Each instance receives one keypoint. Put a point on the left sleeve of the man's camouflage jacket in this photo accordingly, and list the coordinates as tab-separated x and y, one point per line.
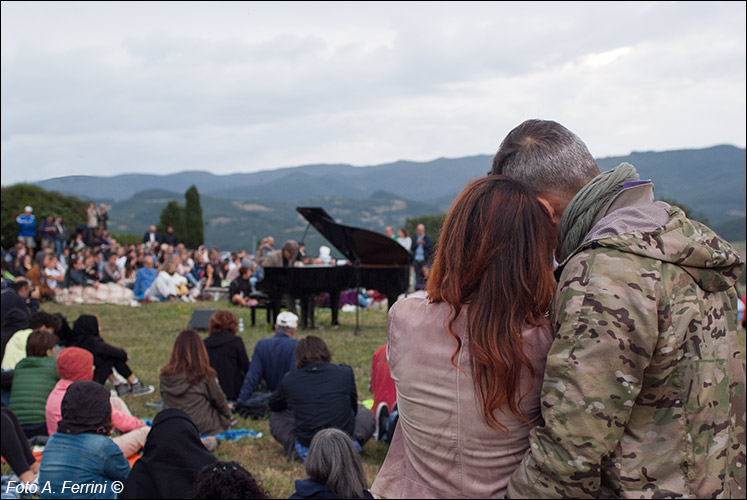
605	336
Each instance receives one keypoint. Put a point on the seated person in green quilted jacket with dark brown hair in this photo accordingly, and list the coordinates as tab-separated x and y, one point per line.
33	379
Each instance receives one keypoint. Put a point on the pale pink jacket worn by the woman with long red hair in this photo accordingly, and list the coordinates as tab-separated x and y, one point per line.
442	447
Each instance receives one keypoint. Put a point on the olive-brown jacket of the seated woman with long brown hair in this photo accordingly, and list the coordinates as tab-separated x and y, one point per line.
204	402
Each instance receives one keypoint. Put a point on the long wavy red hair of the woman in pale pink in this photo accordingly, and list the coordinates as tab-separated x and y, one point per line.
495	253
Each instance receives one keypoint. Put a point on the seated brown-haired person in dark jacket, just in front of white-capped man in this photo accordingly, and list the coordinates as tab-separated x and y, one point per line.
320	395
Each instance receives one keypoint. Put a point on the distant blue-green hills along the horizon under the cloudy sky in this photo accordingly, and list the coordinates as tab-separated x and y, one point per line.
240	208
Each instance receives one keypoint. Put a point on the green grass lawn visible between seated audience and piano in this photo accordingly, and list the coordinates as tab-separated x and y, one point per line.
148	333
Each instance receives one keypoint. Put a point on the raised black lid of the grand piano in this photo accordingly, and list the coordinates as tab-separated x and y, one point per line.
357	245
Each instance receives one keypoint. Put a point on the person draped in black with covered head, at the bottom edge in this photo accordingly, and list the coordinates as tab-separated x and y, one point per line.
166	470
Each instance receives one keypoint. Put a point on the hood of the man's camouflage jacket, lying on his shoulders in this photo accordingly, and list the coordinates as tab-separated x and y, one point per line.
710	260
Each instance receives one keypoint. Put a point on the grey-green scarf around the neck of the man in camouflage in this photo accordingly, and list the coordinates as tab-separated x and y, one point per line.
579	215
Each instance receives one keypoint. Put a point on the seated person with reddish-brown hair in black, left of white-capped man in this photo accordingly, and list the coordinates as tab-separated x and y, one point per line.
227	352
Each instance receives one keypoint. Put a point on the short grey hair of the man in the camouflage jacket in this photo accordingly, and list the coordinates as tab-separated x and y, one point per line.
547	157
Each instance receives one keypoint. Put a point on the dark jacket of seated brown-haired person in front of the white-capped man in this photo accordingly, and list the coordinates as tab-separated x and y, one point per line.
321	396
